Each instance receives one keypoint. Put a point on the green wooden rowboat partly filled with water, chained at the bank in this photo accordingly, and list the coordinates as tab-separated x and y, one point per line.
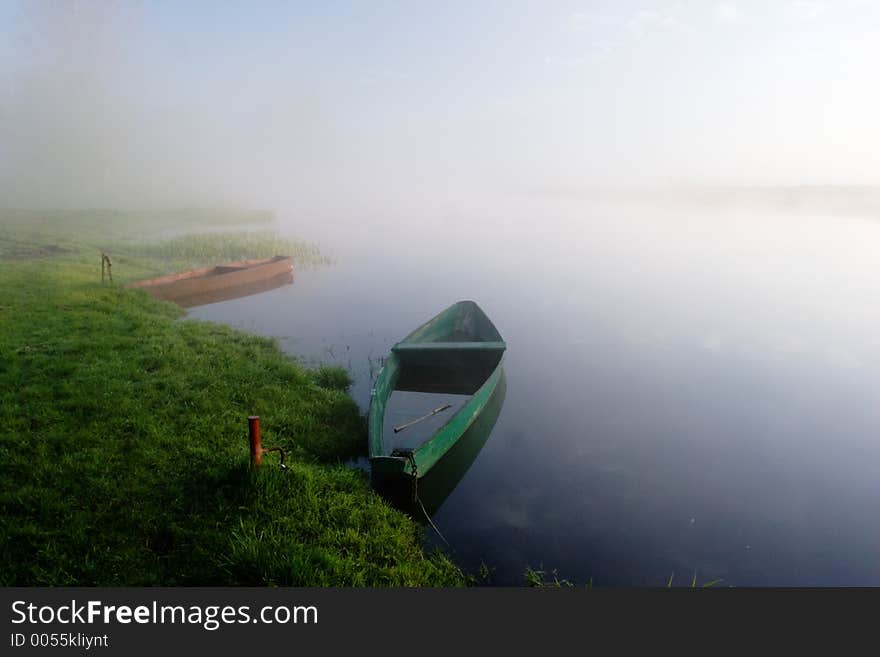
458	352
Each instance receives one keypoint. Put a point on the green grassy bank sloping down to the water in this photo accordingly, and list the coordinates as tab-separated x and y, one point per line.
124	443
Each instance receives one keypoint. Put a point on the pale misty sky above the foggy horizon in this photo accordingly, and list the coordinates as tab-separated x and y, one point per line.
269	103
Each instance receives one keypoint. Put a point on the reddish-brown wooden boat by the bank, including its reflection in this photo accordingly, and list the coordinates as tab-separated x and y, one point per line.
228	281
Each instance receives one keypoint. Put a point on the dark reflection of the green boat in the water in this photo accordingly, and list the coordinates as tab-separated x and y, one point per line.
441	480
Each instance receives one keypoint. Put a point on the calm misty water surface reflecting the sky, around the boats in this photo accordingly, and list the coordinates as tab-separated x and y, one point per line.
686	391
